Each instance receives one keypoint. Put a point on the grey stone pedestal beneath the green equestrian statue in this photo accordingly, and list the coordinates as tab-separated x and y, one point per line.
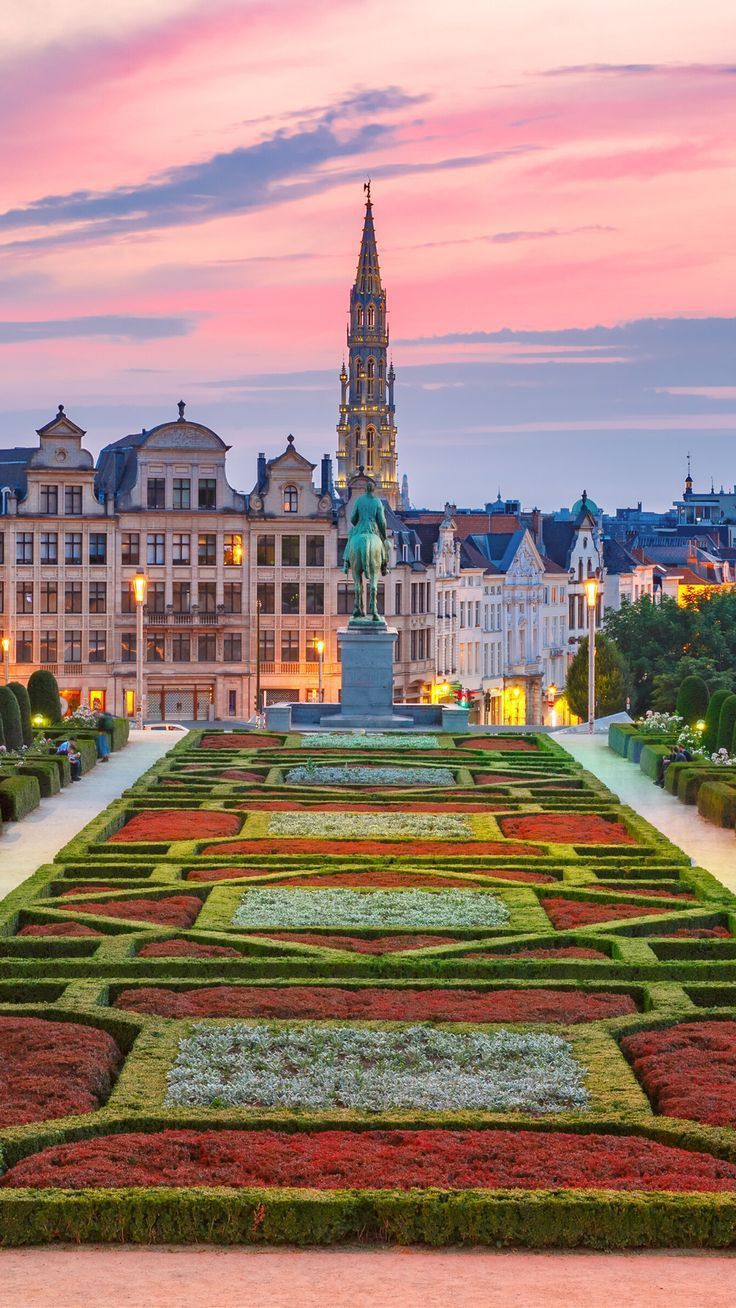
367	655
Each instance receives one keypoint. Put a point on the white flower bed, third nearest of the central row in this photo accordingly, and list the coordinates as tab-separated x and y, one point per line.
371	826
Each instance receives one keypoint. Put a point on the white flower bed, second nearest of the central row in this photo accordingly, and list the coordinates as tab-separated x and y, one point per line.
410	908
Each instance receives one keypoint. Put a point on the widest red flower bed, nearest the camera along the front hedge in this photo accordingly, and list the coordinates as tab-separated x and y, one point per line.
344	1160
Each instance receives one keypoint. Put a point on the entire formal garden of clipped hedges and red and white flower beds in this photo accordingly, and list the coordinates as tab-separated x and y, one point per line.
359	987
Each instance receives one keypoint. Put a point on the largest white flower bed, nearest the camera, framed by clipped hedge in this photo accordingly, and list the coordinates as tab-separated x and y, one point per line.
376	1071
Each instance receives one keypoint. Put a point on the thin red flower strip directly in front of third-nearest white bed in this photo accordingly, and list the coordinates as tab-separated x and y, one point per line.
386	848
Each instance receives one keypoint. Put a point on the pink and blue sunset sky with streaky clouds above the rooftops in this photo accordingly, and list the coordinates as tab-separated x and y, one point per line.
555	199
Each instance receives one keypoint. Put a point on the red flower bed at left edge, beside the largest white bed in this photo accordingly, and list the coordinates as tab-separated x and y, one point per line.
53	1069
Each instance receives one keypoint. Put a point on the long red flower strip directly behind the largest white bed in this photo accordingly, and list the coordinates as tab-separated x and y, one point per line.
377	1005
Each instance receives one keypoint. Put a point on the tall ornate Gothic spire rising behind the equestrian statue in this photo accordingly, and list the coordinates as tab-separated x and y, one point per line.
367	432
